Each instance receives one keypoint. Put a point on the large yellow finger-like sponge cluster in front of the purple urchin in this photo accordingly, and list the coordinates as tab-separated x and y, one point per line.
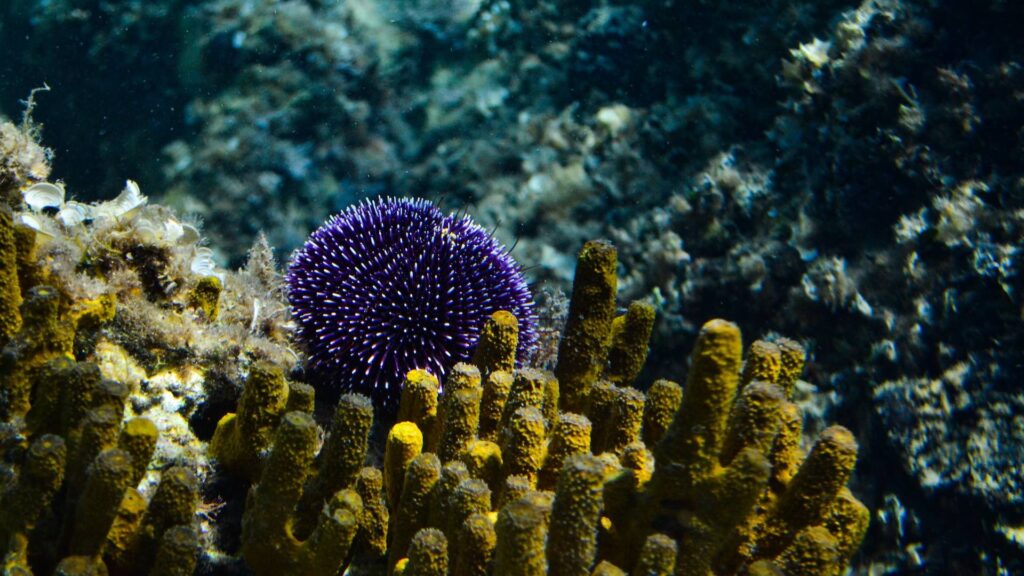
563	482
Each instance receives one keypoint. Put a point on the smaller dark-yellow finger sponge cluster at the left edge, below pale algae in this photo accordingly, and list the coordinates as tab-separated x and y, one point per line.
75	499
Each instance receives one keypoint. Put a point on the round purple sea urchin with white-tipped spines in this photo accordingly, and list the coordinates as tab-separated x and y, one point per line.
392	285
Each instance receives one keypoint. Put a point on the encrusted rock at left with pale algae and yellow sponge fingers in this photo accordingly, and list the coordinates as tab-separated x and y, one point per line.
115	333
